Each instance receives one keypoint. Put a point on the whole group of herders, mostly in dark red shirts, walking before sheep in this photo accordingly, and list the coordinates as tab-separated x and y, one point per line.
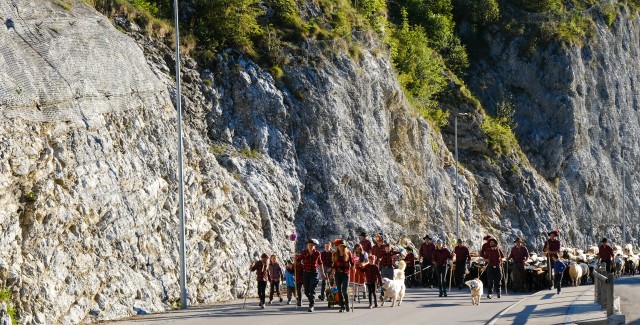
369	263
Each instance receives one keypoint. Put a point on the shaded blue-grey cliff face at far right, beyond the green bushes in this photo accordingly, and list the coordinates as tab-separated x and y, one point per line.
577	115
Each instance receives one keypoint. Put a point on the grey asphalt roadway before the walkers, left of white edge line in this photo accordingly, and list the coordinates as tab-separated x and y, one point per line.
420	306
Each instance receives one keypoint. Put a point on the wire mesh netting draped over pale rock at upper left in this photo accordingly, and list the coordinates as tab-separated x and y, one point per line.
68	64
